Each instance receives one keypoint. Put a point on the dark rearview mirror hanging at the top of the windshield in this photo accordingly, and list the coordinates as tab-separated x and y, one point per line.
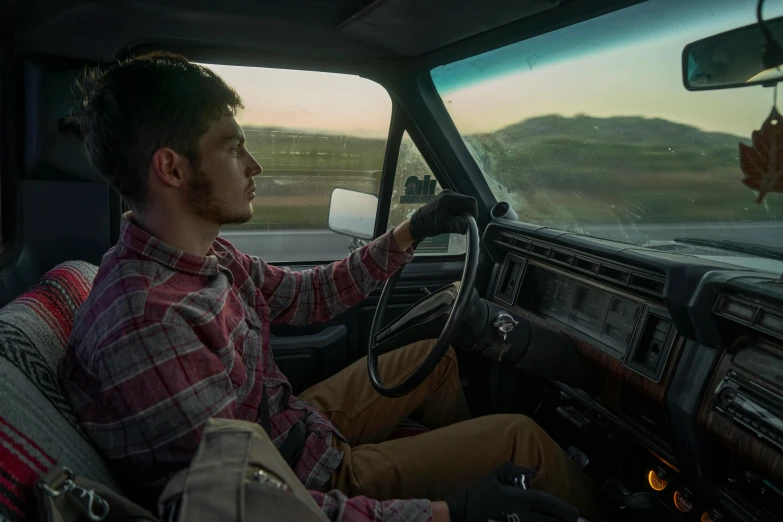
732	59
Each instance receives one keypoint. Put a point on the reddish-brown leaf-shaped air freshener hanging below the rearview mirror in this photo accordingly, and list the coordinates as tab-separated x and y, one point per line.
762	163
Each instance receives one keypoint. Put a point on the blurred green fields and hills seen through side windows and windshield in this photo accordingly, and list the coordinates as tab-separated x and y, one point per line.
567	172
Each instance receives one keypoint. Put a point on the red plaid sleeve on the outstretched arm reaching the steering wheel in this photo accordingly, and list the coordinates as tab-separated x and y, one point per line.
318	294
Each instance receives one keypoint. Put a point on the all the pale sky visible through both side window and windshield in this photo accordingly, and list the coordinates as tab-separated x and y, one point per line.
623	64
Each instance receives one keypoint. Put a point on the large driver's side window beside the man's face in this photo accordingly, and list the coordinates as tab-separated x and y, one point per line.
312	132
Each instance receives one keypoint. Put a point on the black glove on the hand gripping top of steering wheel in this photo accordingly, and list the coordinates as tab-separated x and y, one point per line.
443	215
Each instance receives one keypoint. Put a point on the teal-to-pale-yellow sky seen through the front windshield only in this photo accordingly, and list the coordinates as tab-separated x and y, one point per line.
627	63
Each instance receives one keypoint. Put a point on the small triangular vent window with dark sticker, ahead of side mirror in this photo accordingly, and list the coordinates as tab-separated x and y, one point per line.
415	185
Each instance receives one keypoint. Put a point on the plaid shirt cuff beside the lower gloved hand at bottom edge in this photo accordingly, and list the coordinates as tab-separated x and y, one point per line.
339	508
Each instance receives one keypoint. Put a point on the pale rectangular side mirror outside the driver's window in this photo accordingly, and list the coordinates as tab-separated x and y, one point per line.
353	213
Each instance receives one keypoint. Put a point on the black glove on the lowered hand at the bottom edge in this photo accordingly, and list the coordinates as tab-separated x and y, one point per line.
494	498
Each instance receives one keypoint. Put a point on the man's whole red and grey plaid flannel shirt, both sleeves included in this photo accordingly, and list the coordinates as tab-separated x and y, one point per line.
168	339
